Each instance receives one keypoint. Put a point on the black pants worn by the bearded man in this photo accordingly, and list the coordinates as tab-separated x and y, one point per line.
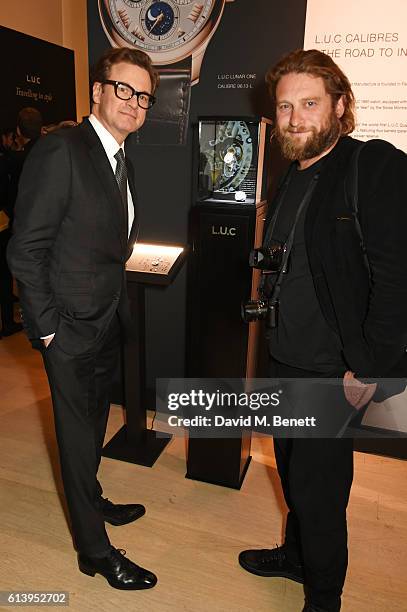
316	477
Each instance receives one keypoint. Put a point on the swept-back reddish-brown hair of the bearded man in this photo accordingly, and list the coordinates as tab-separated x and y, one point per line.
317	64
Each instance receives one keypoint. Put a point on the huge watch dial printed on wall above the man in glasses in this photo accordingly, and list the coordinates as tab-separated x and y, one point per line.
155	26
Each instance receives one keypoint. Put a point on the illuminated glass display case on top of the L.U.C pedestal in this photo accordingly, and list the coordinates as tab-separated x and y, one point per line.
232	159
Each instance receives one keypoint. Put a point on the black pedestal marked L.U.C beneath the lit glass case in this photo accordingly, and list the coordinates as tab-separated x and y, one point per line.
220	344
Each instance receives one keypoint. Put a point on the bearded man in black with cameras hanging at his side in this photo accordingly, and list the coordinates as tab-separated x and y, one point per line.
341	310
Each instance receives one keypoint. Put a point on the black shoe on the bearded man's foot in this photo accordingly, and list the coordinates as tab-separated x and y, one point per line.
271	562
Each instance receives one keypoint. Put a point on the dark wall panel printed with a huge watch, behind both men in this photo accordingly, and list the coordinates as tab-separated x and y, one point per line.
240	40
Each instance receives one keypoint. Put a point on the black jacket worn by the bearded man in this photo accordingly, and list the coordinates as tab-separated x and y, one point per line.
370	319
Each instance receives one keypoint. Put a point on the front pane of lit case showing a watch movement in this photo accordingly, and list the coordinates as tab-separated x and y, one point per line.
228	157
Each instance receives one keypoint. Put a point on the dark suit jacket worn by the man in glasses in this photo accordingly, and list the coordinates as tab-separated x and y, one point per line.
69	247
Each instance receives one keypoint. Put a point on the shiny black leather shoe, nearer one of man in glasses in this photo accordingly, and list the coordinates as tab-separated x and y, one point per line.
121	573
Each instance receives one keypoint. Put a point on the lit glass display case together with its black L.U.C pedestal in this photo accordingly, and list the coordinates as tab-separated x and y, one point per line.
232	159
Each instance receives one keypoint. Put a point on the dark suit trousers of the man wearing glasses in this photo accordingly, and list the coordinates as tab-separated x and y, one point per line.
80	389
